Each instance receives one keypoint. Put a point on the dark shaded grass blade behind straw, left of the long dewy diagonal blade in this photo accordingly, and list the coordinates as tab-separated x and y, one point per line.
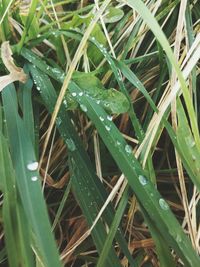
86	186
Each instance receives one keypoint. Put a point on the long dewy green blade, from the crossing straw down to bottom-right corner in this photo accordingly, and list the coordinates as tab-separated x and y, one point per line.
147	195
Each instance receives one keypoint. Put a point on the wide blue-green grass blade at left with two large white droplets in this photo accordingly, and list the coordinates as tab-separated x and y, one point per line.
28	183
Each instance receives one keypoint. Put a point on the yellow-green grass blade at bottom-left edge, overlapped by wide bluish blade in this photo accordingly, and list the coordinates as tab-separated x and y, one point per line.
13	215
